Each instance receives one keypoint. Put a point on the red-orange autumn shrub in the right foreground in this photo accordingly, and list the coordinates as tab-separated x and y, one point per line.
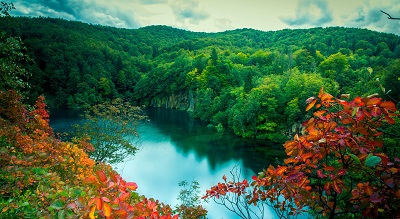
337	168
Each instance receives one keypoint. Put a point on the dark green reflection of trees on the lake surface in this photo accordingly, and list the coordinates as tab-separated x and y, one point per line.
191	135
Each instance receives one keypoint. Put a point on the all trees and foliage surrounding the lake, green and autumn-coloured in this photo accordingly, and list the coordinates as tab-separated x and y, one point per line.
331	94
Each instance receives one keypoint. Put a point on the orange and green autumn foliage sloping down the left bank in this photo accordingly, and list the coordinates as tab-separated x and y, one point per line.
43	177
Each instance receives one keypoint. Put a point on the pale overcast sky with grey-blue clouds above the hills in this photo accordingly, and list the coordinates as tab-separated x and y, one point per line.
220	15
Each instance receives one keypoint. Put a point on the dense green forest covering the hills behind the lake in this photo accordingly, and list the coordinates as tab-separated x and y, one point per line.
250	81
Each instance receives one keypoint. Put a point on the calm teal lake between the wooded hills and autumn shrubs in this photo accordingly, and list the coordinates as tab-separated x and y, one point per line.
175	147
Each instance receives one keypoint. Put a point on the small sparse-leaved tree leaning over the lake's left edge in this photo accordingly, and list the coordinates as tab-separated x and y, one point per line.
112	129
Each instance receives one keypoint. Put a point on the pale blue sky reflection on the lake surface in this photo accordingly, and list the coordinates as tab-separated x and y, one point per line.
160	165
